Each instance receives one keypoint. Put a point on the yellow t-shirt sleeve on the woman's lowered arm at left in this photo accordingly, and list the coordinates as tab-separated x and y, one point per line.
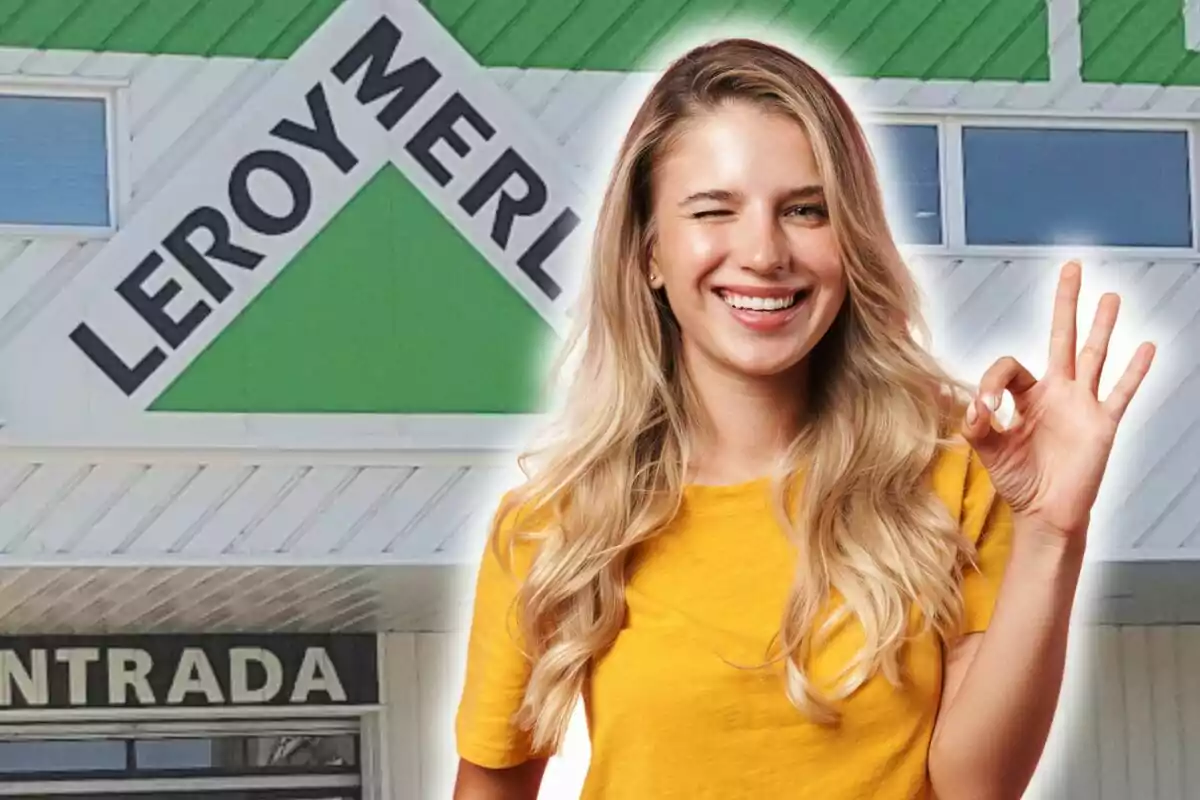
497	669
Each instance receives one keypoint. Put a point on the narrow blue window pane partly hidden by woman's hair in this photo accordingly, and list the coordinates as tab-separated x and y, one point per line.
913	181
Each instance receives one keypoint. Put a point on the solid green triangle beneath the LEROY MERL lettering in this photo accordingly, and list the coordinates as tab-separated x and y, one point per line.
389	310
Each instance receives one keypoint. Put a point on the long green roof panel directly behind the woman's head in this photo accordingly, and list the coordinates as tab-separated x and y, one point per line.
902	39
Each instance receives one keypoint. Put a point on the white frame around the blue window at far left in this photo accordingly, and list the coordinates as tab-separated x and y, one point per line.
115	94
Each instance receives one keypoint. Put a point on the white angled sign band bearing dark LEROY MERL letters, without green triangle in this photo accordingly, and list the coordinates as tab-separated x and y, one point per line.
376	87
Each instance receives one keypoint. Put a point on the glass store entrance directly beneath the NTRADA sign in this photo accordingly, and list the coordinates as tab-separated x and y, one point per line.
261	760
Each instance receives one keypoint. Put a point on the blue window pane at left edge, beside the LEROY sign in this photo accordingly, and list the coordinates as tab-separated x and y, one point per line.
53	161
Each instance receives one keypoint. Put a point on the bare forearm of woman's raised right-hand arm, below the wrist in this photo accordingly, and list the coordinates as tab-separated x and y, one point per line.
1001	687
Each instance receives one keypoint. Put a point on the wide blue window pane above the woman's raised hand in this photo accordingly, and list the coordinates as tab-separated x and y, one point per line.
1034	187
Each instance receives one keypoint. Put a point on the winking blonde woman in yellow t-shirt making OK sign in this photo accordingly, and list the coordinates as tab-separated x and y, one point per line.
775	548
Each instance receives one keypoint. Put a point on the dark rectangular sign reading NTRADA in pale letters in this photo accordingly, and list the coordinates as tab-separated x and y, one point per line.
188	671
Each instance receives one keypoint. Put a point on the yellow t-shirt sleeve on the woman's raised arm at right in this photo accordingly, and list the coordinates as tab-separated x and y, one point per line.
988	522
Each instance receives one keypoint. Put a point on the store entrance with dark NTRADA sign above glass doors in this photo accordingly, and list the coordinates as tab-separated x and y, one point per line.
133	748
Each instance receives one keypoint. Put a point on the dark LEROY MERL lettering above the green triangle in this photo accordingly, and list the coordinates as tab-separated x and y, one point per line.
506	194
